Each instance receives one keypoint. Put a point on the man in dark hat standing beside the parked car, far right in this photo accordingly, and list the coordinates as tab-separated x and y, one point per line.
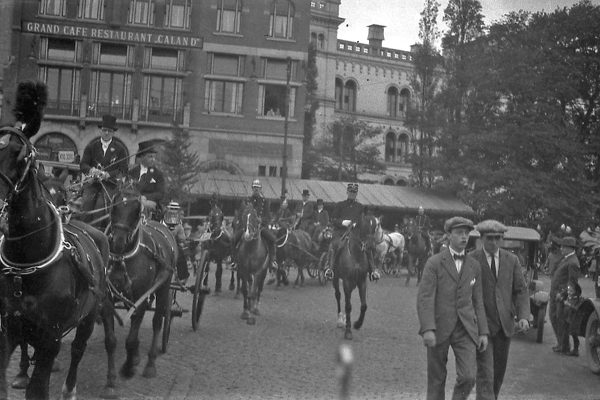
567	272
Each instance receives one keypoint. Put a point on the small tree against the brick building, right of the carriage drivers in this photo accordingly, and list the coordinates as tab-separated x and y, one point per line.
181	166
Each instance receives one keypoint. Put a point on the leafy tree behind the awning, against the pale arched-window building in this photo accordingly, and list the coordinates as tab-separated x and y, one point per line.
347	150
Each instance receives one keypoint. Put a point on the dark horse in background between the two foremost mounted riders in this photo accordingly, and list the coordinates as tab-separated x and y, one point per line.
296	246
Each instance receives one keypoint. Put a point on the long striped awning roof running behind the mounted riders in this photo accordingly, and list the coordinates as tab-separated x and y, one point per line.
398	198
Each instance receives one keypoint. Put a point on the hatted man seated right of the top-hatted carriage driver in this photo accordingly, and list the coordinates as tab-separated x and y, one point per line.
151	182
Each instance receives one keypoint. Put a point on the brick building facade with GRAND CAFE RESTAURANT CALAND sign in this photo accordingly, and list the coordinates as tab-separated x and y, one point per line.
219	69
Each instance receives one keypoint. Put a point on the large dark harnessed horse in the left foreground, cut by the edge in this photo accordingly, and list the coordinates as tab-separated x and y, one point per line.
52	278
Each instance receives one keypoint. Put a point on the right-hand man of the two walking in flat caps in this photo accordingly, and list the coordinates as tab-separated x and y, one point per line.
504	290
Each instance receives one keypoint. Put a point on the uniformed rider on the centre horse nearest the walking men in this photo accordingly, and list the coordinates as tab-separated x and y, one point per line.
346	214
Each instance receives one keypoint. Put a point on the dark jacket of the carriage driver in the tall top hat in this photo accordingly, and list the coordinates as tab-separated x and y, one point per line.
114	162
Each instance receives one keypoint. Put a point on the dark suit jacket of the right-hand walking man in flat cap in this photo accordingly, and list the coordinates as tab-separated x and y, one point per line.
505	293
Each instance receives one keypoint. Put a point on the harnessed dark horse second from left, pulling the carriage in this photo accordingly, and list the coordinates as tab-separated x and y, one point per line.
143	255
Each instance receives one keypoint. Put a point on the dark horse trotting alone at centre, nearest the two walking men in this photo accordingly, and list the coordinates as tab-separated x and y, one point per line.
352	265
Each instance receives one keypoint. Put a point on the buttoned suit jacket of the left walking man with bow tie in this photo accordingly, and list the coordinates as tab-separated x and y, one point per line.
446	297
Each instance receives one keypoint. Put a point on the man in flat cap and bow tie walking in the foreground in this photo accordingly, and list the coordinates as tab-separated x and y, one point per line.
451	313
